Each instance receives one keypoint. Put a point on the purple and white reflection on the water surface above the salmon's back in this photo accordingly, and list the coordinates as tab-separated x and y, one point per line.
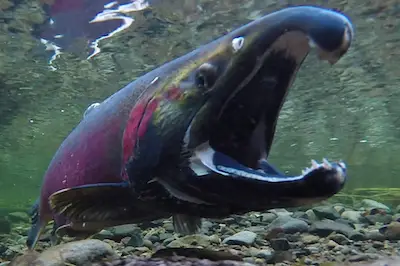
91	20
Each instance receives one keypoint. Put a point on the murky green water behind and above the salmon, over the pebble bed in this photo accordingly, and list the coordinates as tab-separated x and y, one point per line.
58	57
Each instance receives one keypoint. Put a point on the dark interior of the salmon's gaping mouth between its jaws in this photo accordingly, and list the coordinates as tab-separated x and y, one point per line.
245	127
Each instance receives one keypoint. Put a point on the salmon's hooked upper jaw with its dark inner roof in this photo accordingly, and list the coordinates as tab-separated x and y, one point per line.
292	42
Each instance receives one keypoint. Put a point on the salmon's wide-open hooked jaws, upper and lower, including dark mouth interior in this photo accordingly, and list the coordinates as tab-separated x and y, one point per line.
246	76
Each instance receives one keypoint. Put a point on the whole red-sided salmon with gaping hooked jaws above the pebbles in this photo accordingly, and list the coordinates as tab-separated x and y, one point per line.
191	138
